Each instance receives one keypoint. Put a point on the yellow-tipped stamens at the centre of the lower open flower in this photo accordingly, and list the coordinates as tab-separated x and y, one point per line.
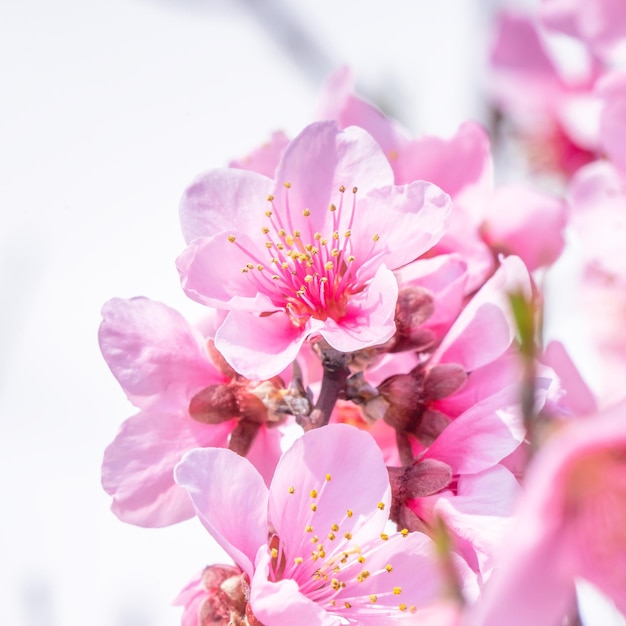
332	567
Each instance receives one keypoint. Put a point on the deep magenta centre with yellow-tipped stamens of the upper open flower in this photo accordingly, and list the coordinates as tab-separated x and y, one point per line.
308	273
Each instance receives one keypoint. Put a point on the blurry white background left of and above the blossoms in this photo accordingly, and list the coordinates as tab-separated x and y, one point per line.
109	109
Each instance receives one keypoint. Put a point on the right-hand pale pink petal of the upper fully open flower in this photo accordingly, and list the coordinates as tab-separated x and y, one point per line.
415	218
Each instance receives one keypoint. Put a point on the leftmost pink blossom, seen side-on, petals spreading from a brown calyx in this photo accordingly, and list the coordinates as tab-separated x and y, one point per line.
162	362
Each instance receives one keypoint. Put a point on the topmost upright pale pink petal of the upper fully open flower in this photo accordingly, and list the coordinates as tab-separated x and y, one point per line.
316	164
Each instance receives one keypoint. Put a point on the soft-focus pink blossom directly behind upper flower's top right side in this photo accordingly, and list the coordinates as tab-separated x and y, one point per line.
486	220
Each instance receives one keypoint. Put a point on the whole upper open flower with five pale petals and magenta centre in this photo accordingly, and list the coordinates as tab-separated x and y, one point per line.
308	254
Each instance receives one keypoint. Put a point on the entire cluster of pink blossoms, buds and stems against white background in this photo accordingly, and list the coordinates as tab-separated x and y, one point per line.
368	419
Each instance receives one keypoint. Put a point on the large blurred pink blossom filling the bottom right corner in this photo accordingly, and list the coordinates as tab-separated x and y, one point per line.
570	524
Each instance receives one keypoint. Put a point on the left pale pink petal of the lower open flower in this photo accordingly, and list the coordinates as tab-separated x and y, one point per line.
230	499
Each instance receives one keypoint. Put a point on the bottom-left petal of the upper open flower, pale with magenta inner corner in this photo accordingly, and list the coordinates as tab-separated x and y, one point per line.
259	347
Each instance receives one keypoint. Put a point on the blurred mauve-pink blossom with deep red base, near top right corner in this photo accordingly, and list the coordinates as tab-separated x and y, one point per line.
554	112
